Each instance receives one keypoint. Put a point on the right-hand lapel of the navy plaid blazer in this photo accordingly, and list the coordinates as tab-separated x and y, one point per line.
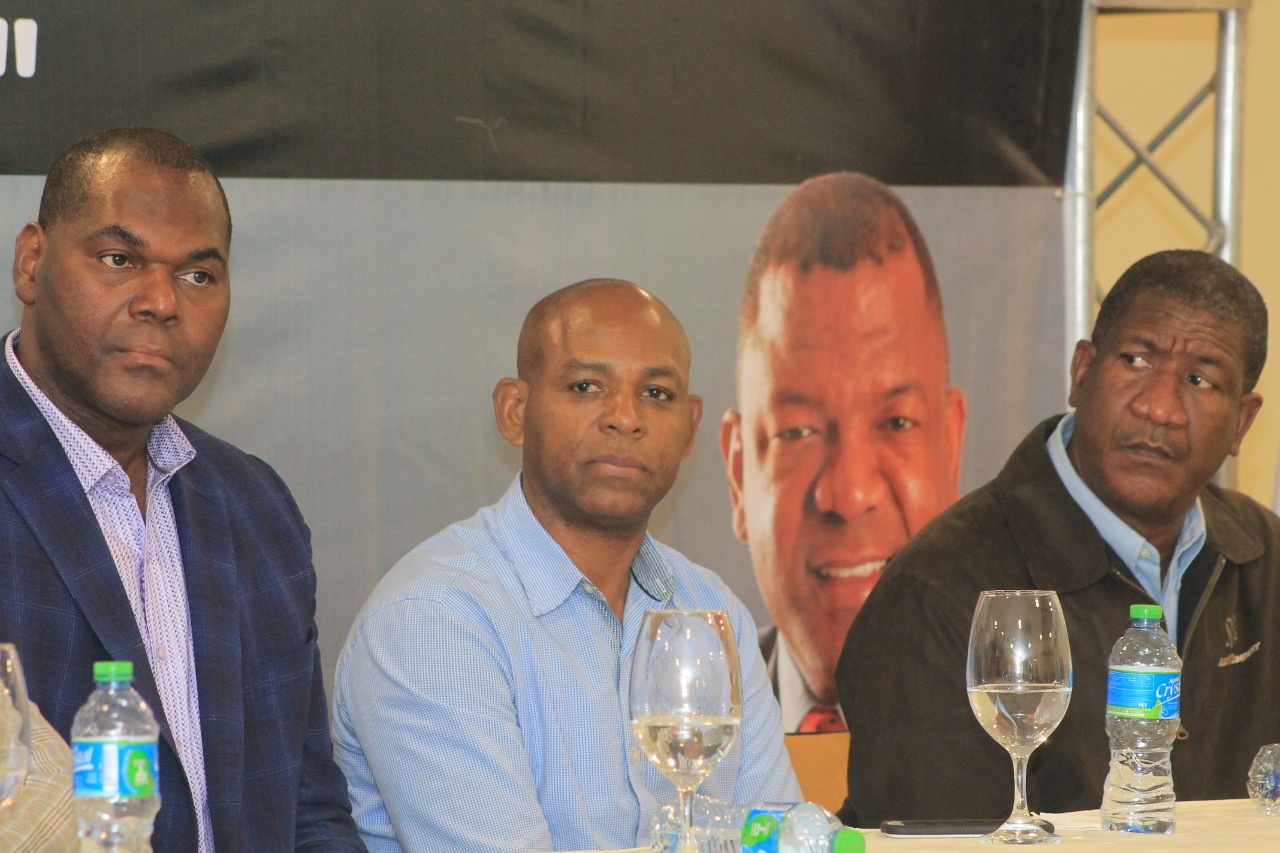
213	600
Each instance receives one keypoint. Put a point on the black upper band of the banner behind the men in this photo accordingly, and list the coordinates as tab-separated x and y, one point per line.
694	92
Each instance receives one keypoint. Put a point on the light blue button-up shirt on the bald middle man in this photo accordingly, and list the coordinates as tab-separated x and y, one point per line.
481	701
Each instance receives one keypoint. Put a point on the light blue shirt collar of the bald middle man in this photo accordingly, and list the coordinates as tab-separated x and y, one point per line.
547	573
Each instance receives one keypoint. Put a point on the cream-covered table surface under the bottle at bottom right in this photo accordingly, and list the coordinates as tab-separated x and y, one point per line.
1227	825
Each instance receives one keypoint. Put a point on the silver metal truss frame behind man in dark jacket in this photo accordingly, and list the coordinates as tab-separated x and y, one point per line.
1222	226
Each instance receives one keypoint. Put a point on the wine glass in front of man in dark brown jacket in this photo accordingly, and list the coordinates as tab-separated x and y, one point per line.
1020	679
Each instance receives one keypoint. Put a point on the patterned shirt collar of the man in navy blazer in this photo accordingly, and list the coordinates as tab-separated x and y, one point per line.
168	448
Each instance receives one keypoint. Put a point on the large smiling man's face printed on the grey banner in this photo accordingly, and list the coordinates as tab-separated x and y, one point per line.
847	443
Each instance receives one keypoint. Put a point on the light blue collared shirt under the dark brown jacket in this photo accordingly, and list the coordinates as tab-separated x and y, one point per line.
1141	556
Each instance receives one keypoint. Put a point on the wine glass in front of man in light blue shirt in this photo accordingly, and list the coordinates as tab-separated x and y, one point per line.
687	699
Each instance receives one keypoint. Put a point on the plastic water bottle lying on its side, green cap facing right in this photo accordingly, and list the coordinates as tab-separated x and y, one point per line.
765	828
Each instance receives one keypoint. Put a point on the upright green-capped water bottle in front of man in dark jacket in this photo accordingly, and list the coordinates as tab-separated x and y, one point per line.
1145	688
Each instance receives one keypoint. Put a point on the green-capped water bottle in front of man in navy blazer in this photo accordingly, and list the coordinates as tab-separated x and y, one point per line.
117	787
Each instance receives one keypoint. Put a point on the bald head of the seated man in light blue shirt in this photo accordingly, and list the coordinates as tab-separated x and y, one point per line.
601	410
